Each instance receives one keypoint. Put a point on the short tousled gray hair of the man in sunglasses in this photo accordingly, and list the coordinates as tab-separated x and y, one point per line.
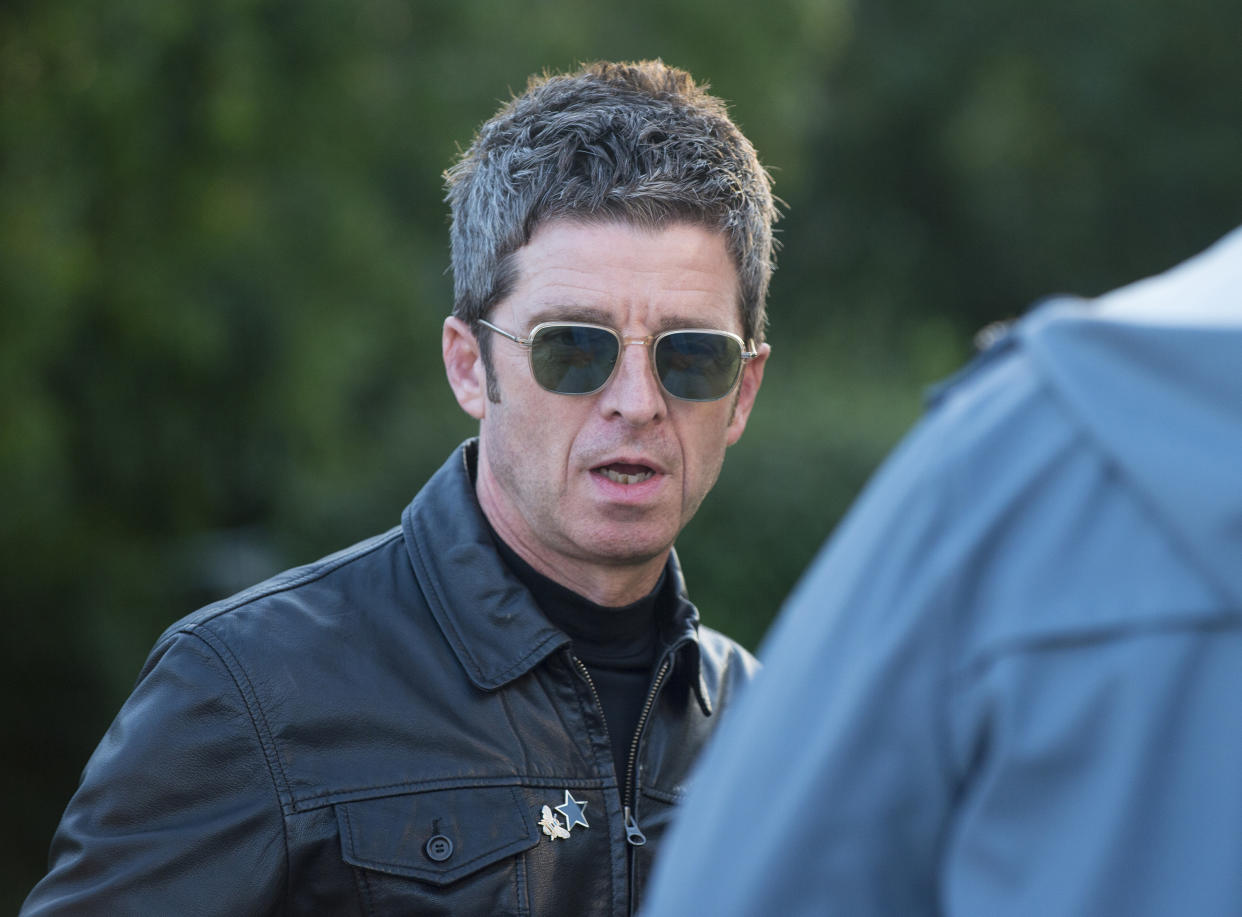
635	142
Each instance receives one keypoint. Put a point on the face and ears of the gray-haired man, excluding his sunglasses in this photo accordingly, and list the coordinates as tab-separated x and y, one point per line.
583	486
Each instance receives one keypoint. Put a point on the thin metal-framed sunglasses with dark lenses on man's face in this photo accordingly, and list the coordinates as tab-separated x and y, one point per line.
574	358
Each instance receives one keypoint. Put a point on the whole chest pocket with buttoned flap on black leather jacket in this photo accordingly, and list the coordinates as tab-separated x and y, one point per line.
454	852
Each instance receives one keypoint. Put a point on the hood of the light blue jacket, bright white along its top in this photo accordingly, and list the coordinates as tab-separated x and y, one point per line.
1153	376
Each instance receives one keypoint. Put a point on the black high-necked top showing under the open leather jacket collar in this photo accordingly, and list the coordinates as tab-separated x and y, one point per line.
618	647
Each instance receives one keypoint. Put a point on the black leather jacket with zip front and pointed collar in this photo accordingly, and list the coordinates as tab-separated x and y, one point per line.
379	732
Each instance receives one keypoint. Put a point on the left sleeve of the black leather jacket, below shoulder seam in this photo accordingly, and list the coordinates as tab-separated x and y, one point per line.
178	811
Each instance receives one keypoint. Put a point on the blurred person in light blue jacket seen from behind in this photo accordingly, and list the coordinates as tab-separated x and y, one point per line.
1010	683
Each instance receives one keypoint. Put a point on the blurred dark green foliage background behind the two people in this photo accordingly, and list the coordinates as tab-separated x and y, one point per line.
224	253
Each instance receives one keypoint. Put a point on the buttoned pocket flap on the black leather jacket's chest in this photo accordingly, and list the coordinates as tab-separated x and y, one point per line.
438	837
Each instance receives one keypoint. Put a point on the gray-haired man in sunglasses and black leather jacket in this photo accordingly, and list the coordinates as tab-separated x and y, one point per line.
492	709
